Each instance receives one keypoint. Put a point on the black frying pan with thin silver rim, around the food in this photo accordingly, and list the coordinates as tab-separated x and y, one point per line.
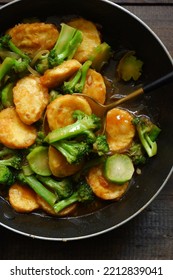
120	29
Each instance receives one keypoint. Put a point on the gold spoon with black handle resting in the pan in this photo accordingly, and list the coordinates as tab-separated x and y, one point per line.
103	109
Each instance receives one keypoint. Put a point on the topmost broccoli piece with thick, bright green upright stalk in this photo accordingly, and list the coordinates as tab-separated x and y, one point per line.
66	45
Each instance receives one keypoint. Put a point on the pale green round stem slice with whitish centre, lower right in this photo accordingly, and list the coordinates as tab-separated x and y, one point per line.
119	168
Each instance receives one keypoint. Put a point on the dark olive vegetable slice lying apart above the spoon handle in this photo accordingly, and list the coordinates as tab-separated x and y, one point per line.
129	67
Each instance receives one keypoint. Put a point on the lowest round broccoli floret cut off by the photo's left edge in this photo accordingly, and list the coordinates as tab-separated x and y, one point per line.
6	176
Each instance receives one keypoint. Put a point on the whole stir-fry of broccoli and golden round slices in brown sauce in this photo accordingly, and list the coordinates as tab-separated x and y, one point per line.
58	154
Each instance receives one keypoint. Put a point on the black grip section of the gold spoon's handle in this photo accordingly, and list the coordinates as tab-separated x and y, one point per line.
168	78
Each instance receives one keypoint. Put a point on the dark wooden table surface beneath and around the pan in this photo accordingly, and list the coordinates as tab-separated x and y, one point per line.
147	236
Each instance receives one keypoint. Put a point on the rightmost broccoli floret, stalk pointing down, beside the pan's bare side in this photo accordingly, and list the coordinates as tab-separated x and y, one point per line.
148	133
